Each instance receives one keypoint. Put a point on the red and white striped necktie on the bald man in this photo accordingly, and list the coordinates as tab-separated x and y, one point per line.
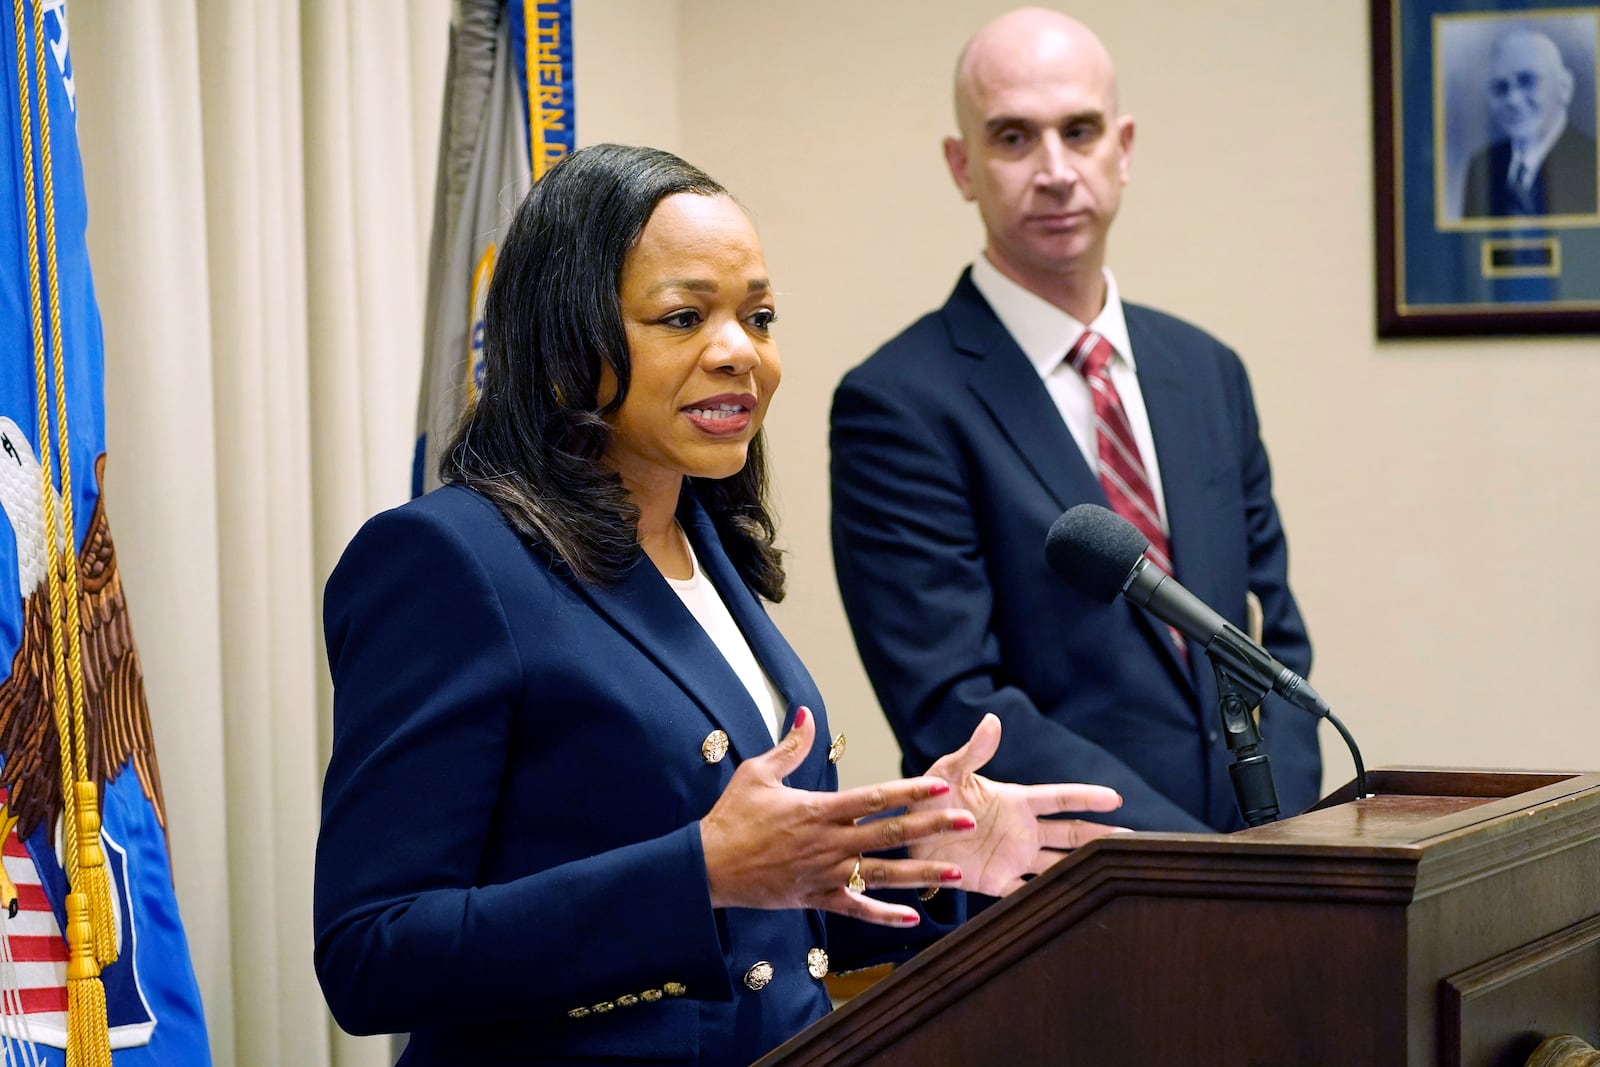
1121	470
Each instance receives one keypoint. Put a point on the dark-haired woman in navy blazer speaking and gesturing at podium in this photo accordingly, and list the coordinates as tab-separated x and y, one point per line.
578	809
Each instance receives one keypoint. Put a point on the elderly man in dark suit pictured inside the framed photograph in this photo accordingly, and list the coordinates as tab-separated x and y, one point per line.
1540	164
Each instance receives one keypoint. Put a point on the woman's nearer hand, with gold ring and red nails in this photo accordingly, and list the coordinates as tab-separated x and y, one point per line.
774	847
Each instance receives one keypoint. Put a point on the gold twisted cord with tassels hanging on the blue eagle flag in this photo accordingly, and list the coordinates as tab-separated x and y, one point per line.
90	925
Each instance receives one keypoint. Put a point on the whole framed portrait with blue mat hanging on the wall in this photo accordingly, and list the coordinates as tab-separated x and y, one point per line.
1486	118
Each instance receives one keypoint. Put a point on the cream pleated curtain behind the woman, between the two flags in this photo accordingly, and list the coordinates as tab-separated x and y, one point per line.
260	182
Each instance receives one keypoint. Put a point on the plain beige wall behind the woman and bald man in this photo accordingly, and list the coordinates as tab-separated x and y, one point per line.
1441	495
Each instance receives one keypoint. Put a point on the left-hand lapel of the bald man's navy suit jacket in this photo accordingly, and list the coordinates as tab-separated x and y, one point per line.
1015	398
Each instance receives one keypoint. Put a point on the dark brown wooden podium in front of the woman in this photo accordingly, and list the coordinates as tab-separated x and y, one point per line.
1450	921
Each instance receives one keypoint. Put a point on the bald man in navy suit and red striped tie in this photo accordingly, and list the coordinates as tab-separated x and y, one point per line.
959	444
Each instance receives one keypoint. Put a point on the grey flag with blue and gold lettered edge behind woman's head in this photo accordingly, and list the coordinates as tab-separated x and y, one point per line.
510	114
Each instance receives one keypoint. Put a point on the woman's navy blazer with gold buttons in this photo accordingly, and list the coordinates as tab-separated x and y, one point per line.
510	865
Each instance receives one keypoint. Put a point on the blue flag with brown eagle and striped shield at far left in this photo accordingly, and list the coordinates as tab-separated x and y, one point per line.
50	468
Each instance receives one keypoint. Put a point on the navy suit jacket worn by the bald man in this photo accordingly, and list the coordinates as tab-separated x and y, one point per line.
950	465
